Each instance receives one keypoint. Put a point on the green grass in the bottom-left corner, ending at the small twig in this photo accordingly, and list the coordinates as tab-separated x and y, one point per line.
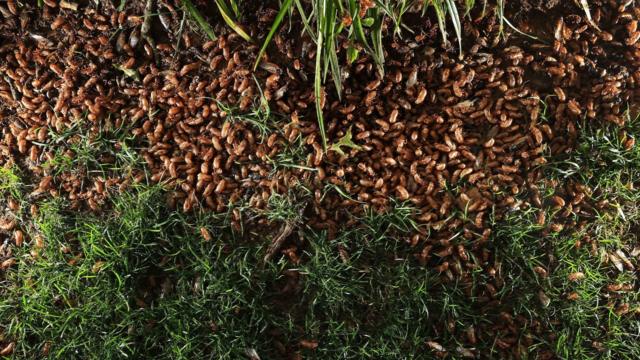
139	283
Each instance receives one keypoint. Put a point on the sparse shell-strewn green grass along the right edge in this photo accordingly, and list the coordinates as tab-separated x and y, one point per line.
562	280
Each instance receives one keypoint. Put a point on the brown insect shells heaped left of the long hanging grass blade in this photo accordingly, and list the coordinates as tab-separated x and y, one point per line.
125	80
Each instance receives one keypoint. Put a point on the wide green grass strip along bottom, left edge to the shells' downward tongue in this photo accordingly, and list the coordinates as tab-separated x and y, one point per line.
142	282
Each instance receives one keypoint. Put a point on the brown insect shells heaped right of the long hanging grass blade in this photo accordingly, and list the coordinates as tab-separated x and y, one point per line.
462	139
